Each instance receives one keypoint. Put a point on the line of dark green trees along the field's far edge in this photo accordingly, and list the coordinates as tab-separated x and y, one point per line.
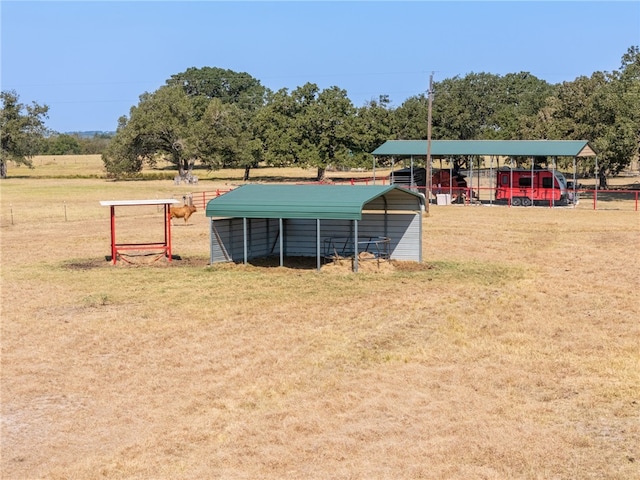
216	118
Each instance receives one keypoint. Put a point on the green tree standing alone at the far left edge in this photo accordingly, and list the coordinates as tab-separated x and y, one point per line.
22	130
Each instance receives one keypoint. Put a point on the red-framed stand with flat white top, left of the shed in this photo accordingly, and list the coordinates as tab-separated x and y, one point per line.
163	246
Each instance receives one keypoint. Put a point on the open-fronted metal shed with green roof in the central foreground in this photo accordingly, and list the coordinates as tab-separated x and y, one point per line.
319	221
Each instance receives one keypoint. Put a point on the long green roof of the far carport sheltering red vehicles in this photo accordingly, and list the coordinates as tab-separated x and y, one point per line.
507	148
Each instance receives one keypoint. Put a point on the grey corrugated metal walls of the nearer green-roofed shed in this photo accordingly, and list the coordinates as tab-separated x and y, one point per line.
300	238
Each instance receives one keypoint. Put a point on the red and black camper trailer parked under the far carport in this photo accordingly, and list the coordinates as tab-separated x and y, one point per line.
530	187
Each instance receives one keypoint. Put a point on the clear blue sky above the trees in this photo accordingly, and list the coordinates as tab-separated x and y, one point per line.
89	61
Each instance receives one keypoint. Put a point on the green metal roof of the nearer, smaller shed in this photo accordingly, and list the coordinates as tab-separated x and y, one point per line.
299	201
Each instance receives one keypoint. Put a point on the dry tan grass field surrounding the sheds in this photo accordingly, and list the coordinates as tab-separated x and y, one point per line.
512	352
